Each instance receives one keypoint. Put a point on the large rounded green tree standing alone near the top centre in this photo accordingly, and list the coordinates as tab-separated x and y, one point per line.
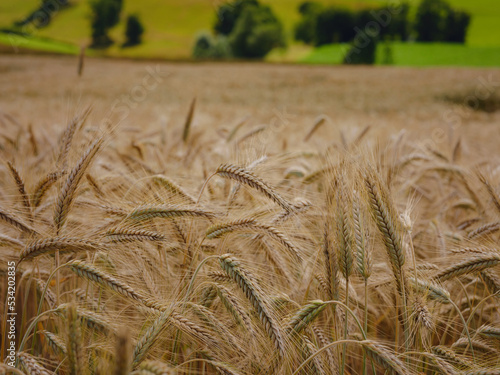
256	32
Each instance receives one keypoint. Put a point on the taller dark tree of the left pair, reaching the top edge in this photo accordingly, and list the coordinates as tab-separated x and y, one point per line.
105	15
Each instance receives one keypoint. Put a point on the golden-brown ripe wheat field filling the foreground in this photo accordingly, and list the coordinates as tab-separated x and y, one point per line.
248	219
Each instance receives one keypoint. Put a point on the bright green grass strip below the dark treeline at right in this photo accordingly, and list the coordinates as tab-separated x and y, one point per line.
415	54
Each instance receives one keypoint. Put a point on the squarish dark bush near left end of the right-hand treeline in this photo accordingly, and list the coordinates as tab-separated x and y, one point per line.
334	25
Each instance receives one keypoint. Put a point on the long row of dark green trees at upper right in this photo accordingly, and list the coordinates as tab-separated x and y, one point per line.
435	21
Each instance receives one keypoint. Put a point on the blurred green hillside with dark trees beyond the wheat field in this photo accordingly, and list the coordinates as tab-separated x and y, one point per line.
404	32
